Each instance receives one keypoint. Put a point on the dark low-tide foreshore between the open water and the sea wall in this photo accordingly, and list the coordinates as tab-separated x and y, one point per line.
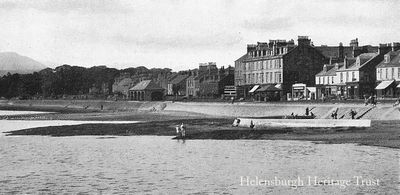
382	133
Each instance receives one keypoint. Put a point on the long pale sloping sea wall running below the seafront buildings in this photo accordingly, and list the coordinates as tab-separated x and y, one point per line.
239	109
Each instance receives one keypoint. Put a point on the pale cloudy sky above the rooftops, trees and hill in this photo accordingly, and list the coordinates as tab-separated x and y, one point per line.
180	34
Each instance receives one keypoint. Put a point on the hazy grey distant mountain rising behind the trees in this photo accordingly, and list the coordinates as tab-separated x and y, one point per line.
15	63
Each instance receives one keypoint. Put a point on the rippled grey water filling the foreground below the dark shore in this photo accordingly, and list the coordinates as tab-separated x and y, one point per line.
157	164
